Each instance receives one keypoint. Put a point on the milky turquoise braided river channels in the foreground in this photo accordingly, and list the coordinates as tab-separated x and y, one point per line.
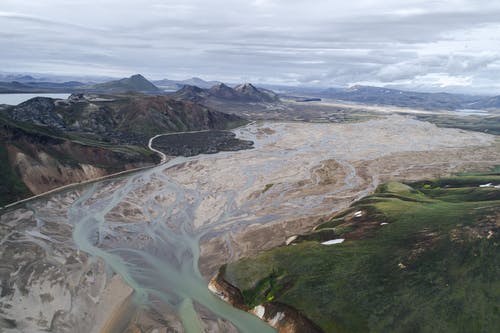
165	267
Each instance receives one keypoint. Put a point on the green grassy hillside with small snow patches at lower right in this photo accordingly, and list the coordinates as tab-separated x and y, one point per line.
433	268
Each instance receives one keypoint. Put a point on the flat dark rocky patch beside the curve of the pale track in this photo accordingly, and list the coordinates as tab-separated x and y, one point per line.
208	142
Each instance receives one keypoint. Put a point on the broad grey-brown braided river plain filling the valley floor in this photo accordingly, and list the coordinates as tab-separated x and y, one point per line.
165	231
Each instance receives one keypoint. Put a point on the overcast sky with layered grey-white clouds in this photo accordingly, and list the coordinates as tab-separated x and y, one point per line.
449	45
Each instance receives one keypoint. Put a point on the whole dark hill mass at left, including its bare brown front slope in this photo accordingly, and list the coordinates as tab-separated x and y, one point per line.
46	143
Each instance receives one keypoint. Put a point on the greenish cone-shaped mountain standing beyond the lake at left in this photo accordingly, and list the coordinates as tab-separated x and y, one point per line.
135	83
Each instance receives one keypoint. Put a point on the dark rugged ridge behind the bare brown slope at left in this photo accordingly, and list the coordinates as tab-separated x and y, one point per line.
127	119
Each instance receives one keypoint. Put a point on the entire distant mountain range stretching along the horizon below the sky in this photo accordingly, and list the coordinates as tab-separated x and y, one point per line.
198	90
